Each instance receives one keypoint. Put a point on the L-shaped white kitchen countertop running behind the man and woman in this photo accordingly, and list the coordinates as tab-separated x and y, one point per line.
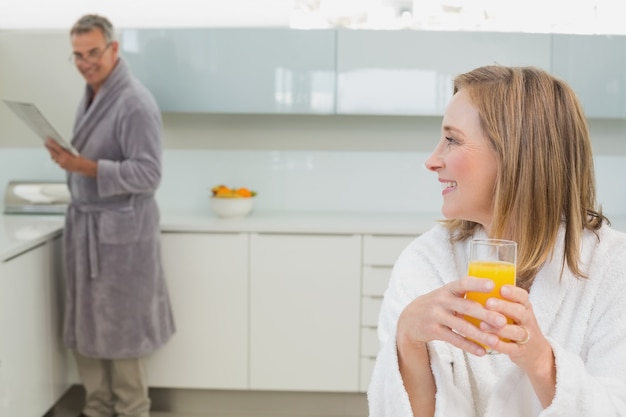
19	233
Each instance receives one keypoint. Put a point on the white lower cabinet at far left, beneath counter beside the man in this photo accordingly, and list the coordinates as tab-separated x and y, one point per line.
34	365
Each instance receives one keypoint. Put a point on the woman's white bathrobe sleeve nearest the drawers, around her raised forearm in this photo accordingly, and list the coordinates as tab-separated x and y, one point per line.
415	274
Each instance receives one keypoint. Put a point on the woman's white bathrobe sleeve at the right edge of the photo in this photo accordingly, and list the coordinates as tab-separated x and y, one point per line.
591	380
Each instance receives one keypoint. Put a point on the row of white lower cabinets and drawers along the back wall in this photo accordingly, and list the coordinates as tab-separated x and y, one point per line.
277	311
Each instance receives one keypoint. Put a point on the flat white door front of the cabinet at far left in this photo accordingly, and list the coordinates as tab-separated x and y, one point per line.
26	377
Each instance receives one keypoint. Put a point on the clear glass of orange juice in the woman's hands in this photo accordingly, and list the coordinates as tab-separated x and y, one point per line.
494	259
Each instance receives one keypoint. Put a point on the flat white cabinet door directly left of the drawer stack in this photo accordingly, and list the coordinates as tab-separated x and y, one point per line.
304	312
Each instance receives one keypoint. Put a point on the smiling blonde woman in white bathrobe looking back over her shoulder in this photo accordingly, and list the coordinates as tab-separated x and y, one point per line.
515	163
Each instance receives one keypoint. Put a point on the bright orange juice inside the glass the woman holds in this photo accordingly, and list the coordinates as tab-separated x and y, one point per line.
501	273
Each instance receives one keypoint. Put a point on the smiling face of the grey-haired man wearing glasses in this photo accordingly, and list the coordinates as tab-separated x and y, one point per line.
94	58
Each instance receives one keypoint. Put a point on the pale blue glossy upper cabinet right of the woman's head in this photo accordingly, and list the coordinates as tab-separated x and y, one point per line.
595	67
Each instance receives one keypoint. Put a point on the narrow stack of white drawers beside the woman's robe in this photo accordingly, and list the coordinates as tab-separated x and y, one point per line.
380	253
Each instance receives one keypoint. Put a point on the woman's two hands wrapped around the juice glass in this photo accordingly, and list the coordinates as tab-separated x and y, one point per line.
439	315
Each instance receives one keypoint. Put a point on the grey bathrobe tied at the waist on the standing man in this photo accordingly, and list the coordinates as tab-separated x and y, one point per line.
117	303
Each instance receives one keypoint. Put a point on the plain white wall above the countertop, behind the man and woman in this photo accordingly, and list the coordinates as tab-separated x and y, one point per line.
347	163
